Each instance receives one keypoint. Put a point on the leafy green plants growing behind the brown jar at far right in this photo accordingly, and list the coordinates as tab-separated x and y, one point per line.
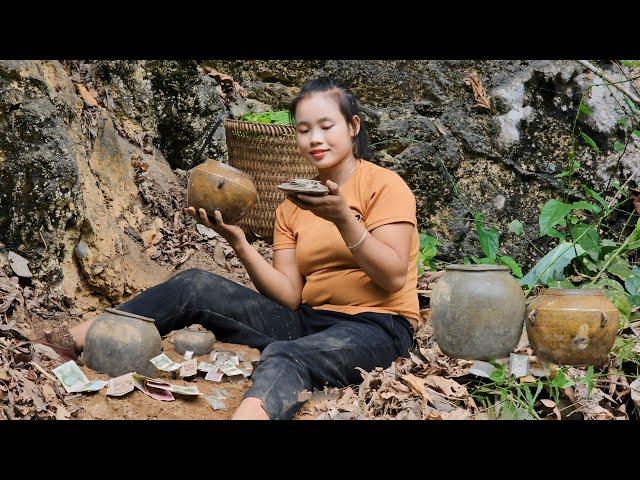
582	257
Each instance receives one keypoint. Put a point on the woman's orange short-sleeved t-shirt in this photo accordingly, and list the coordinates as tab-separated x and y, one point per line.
376	196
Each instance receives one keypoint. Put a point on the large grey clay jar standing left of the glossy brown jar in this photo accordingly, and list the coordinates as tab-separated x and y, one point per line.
477	312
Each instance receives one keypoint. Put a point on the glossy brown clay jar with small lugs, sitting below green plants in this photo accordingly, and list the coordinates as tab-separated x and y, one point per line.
572	326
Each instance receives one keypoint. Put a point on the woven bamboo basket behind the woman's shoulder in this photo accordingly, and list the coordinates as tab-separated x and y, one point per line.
270	155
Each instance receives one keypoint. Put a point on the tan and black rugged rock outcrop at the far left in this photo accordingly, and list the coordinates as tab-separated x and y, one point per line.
68	184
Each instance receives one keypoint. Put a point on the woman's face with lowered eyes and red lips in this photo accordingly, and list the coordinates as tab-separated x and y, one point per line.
323	136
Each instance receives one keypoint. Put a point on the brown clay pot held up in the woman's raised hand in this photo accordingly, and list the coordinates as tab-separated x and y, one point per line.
215	185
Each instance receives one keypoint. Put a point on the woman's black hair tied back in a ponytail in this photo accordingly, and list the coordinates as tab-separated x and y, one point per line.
349	106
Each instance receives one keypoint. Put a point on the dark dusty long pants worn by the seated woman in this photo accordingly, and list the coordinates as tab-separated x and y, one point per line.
301	349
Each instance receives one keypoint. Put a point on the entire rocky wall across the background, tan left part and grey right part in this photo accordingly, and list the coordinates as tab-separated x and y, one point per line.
84	143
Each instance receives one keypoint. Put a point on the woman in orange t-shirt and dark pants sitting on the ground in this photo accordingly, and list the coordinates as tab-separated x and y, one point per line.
341	292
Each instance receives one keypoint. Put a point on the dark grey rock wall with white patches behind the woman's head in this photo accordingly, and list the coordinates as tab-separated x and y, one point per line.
423	124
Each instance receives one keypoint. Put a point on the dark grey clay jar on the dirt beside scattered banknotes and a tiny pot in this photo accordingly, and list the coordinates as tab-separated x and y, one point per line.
119	342
